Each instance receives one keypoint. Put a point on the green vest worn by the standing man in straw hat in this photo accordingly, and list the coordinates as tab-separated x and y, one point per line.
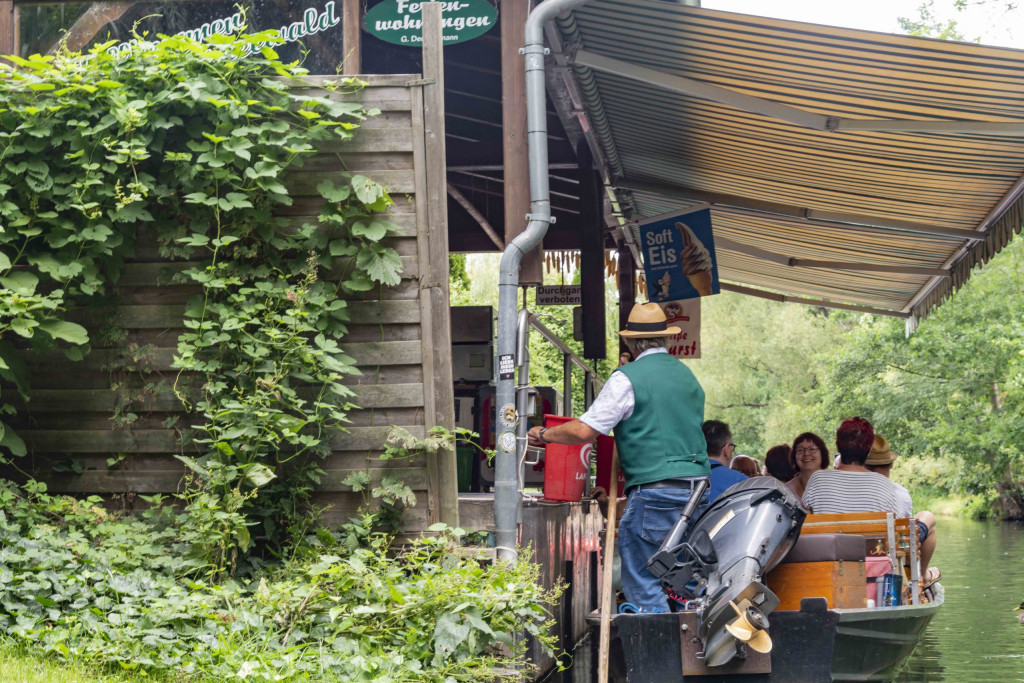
663	439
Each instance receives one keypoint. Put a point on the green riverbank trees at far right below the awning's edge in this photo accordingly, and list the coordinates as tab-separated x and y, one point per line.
955	391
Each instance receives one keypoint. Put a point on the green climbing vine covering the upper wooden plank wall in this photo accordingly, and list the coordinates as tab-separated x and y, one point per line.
193	143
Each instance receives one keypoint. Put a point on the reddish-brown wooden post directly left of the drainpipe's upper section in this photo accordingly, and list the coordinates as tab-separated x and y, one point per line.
515	15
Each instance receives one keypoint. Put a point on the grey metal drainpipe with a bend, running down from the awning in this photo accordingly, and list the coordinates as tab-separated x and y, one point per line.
507	499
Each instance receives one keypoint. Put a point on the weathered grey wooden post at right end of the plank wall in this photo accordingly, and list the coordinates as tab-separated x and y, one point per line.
436	287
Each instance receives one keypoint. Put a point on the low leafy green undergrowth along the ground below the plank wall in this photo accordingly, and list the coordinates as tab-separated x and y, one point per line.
81	583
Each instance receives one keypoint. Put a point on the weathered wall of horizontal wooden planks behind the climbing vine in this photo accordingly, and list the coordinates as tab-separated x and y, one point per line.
69	422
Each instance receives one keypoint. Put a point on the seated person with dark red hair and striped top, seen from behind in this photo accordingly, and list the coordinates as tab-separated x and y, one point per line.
851	487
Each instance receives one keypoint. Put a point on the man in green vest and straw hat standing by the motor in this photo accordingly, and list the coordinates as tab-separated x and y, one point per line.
656	406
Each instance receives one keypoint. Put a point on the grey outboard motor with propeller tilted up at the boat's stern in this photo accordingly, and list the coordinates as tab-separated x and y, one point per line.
744	535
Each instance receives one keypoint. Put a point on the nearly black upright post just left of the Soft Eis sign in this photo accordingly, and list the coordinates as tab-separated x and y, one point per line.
592	257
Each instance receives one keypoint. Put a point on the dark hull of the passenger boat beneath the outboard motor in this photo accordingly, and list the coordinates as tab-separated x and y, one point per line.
810	646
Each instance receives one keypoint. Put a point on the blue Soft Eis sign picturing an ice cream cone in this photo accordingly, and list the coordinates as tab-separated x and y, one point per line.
679	257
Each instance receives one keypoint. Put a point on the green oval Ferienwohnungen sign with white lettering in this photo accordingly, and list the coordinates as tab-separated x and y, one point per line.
400	22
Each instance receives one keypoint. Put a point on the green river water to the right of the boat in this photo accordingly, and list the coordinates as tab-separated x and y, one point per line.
976	636
